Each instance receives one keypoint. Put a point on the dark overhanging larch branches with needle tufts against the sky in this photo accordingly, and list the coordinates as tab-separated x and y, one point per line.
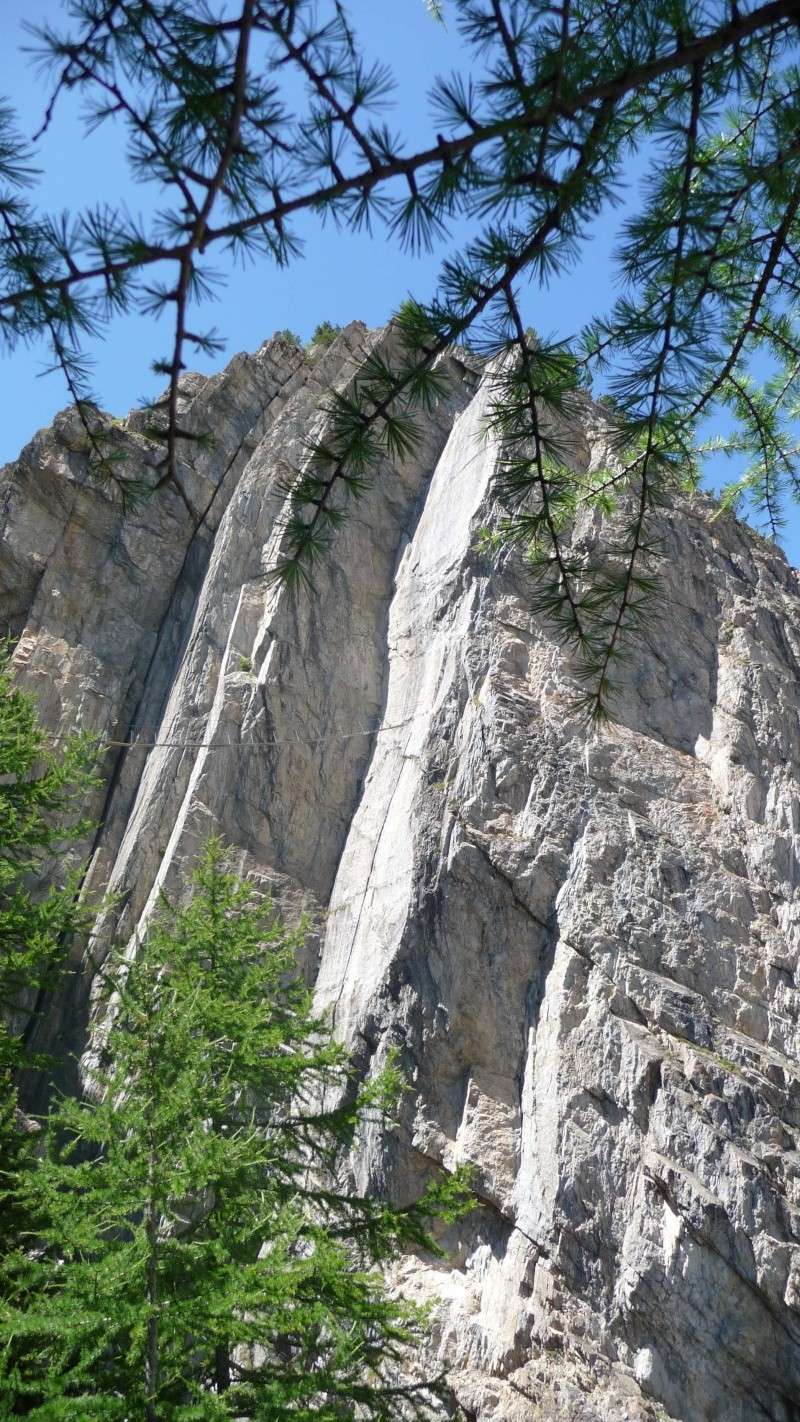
532	147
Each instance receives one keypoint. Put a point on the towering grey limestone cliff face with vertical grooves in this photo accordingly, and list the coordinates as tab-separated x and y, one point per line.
586	946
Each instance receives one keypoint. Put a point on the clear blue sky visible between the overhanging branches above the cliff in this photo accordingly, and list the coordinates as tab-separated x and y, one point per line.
340	278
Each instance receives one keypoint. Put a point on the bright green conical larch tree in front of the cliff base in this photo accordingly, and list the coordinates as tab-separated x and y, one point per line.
195	1258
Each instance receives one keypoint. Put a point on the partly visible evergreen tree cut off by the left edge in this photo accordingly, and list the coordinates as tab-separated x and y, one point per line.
42	811
